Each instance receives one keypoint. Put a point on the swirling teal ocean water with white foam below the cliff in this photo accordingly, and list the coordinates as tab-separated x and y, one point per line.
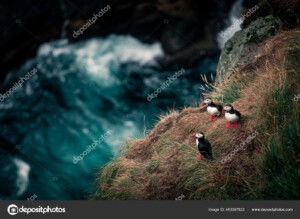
70	117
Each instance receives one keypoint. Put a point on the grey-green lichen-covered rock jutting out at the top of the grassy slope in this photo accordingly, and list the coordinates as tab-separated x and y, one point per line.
243	47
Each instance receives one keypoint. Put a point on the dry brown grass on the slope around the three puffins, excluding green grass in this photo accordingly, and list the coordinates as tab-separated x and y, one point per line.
163	164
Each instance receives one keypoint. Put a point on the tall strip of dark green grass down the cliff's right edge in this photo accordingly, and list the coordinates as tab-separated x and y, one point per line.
281	158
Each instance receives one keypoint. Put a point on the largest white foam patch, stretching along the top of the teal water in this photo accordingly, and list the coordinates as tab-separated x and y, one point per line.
102	57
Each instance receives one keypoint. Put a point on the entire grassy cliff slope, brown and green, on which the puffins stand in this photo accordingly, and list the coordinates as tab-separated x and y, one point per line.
265	152
